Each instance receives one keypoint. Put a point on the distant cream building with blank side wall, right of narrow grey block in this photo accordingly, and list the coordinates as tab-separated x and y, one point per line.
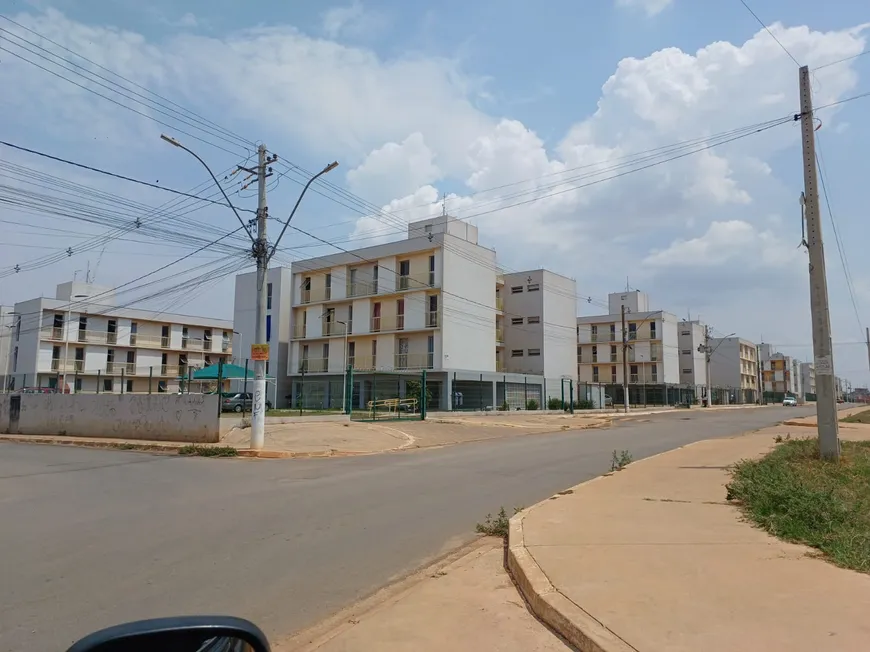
734	369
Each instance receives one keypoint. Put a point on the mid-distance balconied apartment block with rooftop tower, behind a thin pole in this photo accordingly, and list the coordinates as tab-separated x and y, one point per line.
653	353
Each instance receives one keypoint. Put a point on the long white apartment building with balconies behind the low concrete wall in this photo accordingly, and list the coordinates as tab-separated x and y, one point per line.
81	341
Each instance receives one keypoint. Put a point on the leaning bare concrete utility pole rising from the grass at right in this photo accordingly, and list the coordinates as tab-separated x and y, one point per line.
826	399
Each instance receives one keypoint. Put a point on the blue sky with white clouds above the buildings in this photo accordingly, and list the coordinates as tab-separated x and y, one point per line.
639	143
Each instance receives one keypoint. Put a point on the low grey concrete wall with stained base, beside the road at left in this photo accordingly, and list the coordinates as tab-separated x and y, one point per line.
184	418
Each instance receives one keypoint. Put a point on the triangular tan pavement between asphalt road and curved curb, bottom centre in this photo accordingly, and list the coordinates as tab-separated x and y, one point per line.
466	603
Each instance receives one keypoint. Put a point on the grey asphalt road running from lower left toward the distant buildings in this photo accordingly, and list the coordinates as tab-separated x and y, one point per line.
91	538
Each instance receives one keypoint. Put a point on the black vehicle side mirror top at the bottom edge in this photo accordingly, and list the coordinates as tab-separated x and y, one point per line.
180	634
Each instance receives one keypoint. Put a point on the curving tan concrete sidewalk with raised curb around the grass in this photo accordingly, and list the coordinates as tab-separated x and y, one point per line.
653	558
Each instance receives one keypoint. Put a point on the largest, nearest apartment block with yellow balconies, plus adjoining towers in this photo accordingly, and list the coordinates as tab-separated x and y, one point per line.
436	300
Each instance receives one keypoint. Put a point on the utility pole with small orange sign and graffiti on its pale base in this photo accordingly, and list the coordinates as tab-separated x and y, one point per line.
261	253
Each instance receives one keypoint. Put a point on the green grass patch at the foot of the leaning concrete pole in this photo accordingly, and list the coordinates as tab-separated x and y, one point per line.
795	495
